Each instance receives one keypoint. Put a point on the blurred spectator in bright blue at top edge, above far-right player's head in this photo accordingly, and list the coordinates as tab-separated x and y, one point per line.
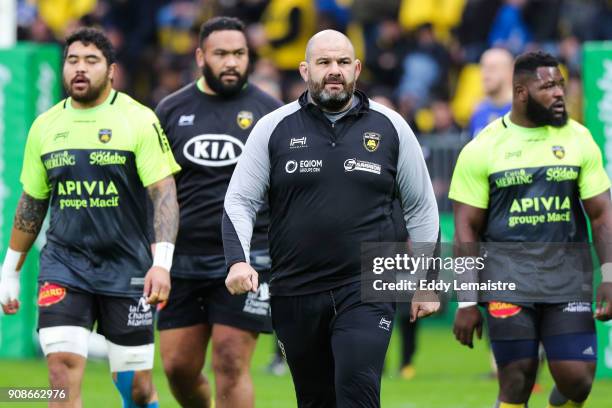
509	29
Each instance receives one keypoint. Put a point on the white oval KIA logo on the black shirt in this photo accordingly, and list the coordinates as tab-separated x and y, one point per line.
213	150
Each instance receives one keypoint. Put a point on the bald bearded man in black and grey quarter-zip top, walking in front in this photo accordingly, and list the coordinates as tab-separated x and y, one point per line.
331	164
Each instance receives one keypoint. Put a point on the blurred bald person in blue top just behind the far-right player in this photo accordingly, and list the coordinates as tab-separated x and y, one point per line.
496	69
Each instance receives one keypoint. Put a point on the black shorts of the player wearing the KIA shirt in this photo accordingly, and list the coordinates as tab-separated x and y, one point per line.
207	301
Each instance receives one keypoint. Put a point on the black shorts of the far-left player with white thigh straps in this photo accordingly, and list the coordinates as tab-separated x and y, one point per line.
125	321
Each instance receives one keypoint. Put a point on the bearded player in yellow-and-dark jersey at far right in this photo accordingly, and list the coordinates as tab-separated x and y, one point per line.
532	178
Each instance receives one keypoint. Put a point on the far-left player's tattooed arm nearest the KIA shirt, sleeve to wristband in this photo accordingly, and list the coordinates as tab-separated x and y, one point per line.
165	209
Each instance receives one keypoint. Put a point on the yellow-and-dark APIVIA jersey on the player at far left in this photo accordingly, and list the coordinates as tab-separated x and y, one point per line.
94	165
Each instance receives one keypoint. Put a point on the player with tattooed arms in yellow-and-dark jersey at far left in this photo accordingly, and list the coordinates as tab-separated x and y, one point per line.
92	159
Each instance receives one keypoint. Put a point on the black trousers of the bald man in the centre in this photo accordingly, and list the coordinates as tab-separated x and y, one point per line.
335	346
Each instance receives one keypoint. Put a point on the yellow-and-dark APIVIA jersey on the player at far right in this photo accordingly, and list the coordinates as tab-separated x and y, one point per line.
531	181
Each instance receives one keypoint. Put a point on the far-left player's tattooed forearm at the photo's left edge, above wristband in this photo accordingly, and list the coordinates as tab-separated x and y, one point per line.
28	221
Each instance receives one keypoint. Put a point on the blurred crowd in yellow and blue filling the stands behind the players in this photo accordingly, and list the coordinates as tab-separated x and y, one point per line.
421	57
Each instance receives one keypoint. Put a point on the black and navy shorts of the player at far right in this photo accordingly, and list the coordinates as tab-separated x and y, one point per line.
566	330
